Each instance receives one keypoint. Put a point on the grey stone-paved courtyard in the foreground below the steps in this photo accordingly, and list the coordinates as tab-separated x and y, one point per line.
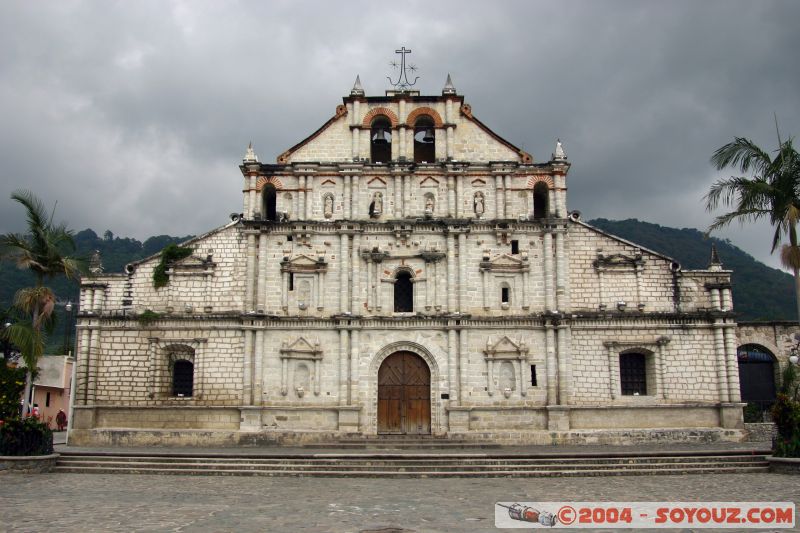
85	502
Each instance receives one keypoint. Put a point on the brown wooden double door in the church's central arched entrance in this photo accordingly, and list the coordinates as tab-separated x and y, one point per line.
404	395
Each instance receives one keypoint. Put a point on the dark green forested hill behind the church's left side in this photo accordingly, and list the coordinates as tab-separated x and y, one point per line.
115	253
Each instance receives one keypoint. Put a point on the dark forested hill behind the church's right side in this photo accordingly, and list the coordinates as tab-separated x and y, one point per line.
759	292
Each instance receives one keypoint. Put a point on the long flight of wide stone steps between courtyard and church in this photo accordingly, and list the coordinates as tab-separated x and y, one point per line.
404	466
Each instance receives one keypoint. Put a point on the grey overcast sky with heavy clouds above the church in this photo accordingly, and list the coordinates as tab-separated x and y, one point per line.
134	116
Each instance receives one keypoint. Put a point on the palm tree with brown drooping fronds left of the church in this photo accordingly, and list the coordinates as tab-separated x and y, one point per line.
44	250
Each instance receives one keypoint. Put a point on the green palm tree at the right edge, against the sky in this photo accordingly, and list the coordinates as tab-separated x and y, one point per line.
772	193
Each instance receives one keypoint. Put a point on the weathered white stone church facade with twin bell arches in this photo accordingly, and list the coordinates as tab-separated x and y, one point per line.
406	270
